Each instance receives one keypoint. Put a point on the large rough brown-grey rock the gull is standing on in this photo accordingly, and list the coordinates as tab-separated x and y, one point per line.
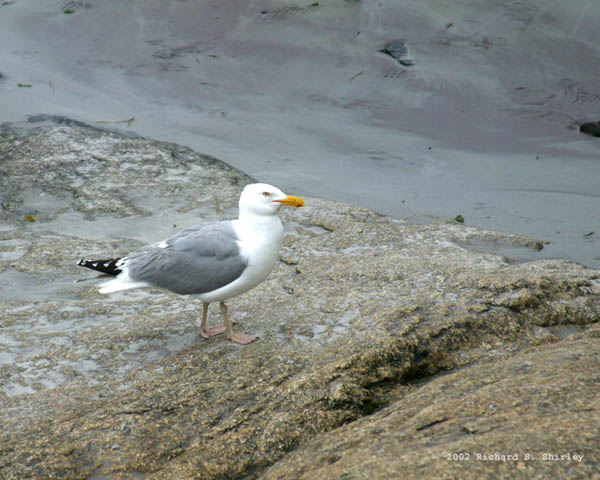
385	348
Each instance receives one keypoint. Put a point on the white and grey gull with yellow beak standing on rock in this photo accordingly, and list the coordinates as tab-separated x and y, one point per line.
215	261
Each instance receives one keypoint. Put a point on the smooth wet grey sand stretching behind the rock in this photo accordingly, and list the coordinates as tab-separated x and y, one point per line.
479	118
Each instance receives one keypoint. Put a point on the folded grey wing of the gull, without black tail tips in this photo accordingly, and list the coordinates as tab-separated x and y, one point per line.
197	260
